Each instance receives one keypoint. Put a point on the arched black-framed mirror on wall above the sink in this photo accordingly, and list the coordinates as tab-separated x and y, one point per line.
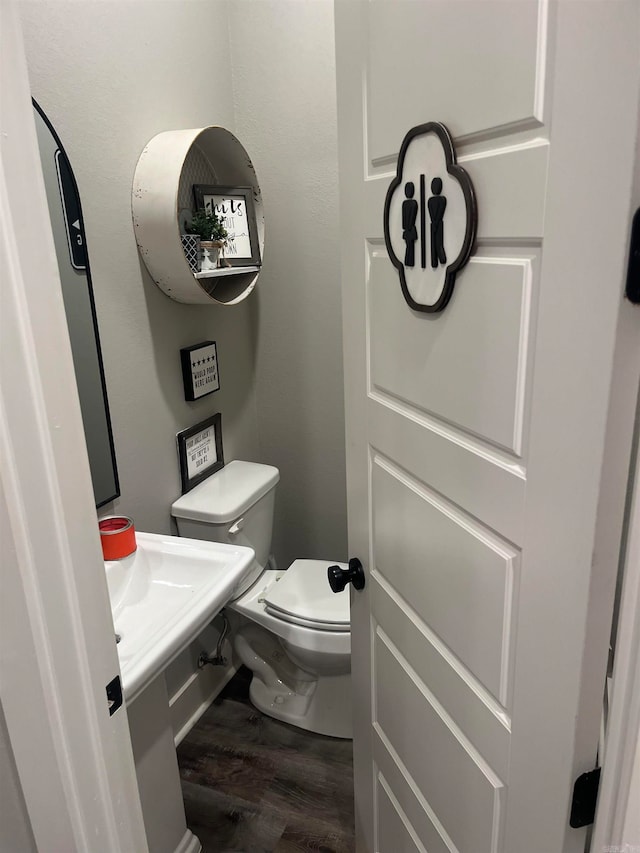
73	262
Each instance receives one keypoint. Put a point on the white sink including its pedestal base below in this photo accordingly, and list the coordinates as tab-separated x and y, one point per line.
162	596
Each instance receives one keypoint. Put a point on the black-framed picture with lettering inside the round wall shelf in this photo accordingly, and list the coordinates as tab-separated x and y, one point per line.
234	206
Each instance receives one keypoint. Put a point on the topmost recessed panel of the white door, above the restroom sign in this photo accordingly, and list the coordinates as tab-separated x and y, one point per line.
479	102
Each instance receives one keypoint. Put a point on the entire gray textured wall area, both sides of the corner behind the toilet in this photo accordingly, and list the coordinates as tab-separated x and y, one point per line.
110	75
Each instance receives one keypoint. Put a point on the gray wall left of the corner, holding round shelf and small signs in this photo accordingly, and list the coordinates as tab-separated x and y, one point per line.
110	75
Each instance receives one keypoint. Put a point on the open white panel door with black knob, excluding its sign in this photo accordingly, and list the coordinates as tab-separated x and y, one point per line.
475	436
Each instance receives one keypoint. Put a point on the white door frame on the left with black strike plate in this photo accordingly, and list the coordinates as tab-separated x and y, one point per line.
74	762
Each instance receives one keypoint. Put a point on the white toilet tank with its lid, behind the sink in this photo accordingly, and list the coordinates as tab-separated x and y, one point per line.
234	505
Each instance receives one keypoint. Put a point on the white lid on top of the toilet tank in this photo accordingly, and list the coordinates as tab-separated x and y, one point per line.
225	495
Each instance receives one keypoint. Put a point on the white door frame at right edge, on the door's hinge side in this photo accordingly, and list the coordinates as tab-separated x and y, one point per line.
617	818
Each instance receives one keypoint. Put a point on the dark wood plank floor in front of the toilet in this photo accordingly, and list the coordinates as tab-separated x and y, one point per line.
257	785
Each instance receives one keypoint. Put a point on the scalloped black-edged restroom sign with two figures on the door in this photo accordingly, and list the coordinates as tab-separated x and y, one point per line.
430	217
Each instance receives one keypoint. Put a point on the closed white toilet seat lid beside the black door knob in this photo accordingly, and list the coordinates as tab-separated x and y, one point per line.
302	596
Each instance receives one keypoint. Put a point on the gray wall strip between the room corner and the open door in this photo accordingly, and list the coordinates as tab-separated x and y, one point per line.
285	105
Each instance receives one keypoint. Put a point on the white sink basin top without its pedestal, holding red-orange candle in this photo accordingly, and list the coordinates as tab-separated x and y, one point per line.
163	595
